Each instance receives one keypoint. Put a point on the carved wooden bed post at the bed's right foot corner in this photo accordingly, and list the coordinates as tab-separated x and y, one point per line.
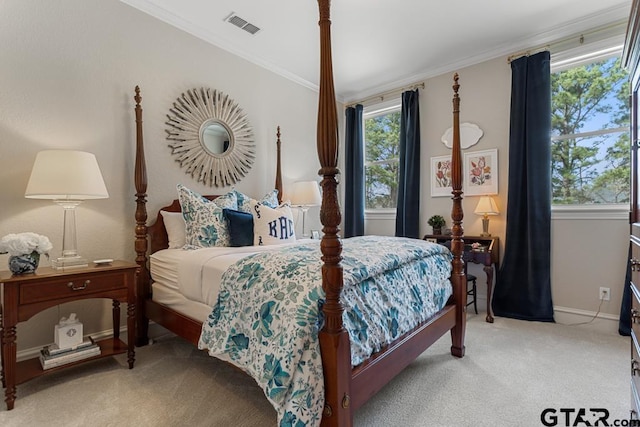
458	278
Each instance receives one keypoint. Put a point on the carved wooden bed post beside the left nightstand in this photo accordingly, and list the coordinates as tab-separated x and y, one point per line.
141	244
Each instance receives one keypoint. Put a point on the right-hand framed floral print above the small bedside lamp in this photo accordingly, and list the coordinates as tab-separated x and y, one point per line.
480	172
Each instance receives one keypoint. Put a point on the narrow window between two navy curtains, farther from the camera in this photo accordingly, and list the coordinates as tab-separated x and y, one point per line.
382	145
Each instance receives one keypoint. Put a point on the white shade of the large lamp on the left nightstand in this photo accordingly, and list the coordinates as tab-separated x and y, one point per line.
66	174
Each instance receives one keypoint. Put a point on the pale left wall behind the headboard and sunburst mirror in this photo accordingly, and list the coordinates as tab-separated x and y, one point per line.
67	81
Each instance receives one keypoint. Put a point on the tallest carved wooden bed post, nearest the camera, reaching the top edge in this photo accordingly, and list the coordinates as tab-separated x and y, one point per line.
334	339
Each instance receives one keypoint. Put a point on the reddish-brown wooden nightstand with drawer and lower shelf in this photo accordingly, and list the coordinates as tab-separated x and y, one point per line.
26	295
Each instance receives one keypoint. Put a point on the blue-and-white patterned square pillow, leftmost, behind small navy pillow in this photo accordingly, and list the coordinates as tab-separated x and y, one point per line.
206	225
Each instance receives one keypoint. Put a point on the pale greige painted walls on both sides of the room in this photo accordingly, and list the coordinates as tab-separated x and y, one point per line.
67	79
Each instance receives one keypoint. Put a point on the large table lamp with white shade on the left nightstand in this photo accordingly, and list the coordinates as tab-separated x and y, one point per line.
67	177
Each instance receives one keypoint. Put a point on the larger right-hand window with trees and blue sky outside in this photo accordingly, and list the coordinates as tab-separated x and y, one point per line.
590	133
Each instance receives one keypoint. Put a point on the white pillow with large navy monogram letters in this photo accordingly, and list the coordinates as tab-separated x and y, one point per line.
272	226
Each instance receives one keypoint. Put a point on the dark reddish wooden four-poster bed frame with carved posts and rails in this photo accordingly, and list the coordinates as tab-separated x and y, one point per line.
345	387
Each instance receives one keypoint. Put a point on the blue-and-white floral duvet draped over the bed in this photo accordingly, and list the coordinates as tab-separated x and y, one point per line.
269	312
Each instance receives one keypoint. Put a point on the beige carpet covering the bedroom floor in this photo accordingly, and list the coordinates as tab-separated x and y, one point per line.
513	370
